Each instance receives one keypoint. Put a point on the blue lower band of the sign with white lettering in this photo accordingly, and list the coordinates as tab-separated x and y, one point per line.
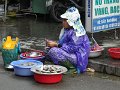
106	23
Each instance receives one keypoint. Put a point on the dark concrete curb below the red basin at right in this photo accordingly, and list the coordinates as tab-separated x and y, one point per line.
108	66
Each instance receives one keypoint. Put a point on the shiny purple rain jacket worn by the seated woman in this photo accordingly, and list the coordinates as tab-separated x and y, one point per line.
80	46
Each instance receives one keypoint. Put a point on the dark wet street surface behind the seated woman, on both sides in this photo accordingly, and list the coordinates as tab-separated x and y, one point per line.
32	32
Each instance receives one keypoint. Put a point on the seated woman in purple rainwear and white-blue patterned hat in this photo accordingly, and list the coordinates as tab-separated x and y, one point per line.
73	45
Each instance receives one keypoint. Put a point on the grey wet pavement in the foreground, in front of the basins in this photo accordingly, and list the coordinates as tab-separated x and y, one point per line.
85	81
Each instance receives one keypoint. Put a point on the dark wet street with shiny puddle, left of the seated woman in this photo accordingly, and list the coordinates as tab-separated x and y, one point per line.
32	33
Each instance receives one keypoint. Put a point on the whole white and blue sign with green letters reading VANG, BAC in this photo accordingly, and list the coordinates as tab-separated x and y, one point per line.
102	15
